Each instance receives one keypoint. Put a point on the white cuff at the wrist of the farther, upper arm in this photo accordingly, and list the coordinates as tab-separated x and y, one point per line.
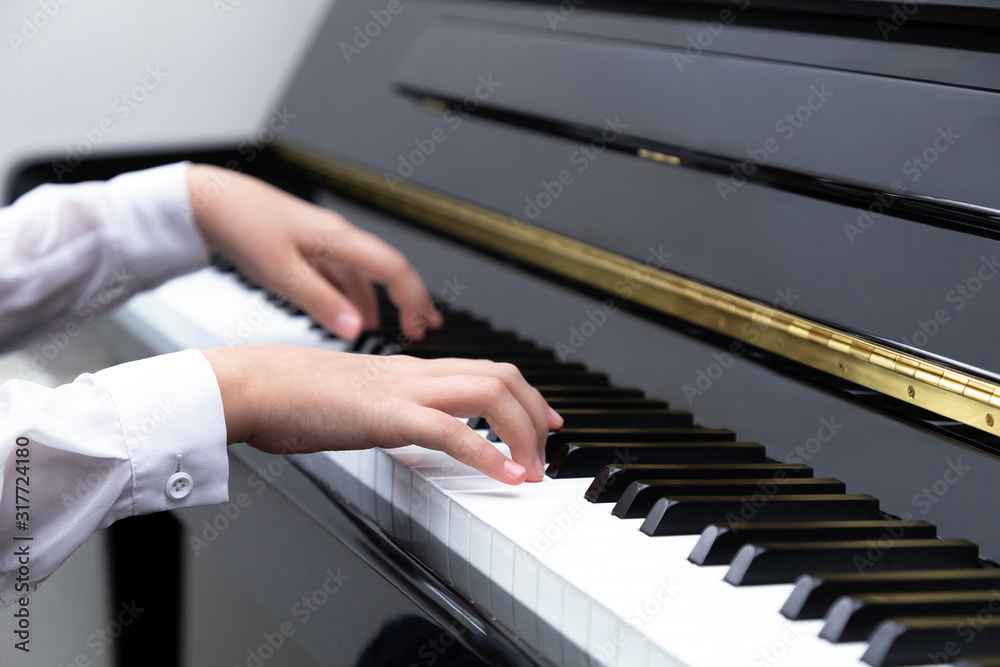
152	215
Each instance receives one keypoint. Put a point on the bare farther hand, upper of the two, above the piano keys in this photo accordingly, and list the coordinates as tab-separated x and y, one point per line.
309	254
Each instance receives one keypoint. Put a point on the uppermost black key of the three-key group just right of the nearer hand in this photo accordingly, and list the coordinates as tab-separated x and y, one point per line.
612	480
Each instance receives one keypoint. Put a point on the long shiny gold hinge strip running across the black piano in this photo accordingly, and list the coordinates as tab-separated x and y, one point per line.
931	386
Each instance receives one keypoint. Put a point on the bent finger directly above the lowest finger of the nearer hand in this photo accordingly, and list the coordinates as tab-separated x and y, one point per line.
487	396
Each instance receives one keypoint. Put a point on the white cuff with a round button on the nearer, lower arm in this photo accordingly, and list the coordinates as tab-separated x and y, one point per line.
171	414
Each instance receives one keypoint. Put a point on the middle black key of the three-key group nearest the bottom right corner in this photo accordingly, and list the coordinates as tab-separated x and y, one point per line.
852	619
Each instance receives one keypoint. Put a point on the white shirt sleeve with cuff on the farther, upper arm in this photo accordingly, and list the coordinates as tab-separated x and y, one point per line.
69	253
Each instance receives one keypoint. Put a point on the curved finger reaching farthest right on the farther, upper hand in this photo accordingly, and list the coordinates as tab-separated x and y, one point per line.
382	263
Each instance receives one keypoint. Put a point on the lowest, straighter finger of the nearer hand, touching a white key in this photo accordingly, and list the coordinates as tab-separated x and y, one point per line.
436	430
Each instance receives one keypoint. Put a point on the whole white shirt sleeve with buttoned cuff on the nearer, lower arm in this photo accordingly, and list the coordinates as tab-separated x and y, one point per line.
104	447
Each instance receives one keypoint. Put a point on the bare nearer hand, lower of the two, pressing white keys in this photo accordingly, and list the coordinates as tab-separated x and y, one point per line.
286	400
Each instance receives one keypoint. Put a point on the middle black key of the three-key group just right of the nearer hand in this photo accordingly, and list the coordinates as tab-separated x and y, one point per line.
641	495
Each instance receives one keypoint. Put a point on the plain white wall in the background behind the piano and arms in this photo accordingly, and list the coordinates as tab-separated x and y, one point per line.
63	71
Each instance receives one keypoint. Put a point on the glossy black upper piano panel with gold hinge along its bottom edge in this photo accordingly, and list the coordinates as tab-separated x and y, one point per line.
827	198
